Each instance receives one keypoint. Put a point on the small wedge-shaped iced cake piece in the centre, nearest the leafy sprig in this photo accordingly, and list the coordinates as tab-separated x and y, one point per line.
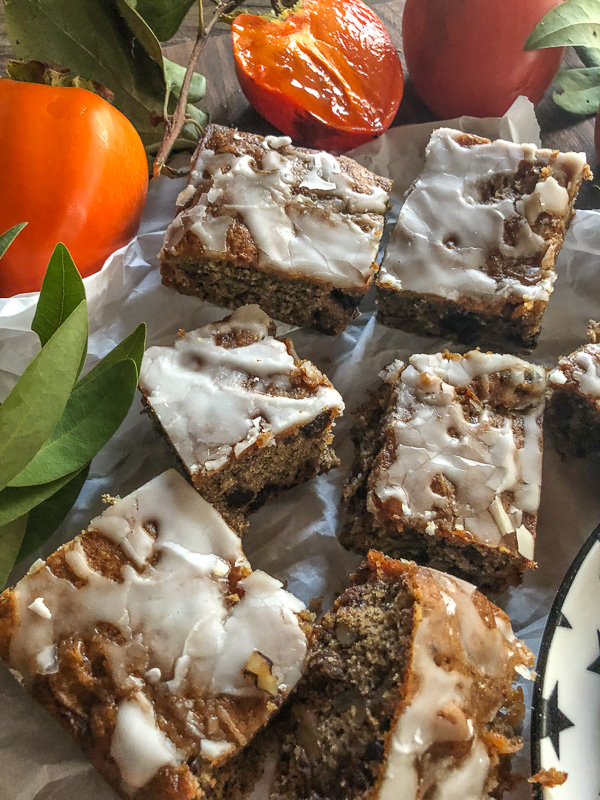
244	414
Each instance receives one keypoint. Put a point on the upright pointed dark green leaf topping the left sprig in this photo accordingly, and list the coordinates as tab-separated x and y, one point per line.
62	291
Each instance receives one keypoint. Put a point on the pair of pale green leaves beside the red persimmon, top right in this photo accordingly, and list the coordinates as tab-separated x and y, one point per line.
574	23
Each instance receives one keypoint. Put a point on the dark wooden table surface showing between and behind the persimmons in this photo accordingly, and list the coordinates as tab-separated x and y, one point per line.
227	105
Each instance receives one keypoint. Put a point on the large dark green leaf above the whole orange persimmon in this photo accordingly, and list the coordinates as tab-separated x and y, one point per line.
93	40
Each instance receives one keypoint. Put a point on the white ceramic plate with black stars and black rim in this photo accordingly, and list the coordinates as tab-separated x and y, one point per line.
566	698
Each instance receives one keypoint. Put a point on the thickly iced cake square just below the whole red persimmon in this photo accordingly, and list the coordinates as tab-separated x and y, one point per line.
472	254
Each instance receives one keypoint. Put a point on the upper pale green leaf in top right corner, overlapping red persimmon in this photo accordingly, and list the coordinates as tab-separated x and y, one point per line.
574	22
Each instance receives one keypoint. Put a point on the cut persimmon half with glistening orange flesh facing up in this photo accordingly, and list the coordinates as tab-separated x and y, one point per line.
328	76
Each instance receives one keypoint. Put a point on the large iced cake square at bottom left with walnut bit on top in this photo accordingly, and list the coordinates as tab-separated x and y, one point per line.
140	636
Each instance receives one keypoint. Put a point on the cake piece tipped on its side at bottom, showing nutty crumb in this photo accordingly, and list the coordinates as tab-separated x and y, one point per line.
408	694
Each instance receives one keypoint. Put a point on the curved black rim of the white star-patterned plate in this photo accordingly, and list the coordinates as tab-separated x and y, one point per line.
537	714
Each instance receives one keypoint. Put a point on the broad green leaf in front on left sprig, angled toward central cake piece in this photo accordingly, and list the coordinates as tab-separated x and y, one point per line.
93	414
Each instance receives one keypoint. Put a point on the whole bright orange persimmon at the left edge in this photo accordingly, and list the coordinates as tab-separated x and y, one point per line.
74	168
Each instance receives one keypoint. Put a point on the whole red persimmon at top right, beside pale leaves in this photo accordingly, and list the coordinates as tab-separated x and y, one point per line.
467	56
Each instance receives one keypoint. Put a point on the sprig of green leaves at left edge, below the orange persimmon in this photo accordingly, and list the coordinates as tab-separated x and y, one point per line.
53	422
